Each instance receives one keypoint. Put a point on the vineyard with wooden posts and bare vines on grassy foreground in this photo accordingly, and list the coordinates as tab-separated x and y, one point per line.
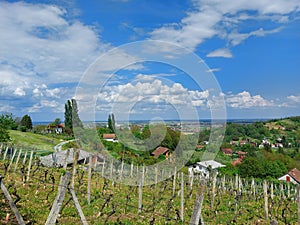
80	194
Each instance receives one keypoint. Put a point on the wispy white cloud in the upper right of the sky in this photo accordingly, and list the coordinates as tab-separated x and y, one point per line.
224	19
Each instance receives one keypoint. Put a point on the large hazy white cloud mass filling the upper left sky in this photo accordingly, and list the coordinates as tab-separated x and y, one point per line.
44	53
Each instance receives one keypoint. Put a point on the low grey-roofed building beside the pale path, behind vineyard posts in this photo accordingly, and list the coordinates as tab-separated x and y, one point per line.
58	159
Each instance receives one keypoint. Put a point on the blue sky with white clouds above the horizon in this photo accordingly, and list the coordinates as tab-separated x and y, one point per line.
141	59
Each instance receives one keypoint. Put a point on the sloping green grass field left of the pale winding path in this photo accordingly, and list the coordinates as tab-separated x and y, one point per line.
34	141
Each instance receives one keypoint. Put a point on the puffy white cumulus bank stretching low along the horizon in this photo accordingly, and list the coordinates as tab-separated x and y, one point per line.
152	93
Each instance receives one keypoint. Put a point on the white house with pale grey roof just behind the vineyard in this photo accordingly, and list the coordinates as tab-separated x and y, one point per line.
204	167
